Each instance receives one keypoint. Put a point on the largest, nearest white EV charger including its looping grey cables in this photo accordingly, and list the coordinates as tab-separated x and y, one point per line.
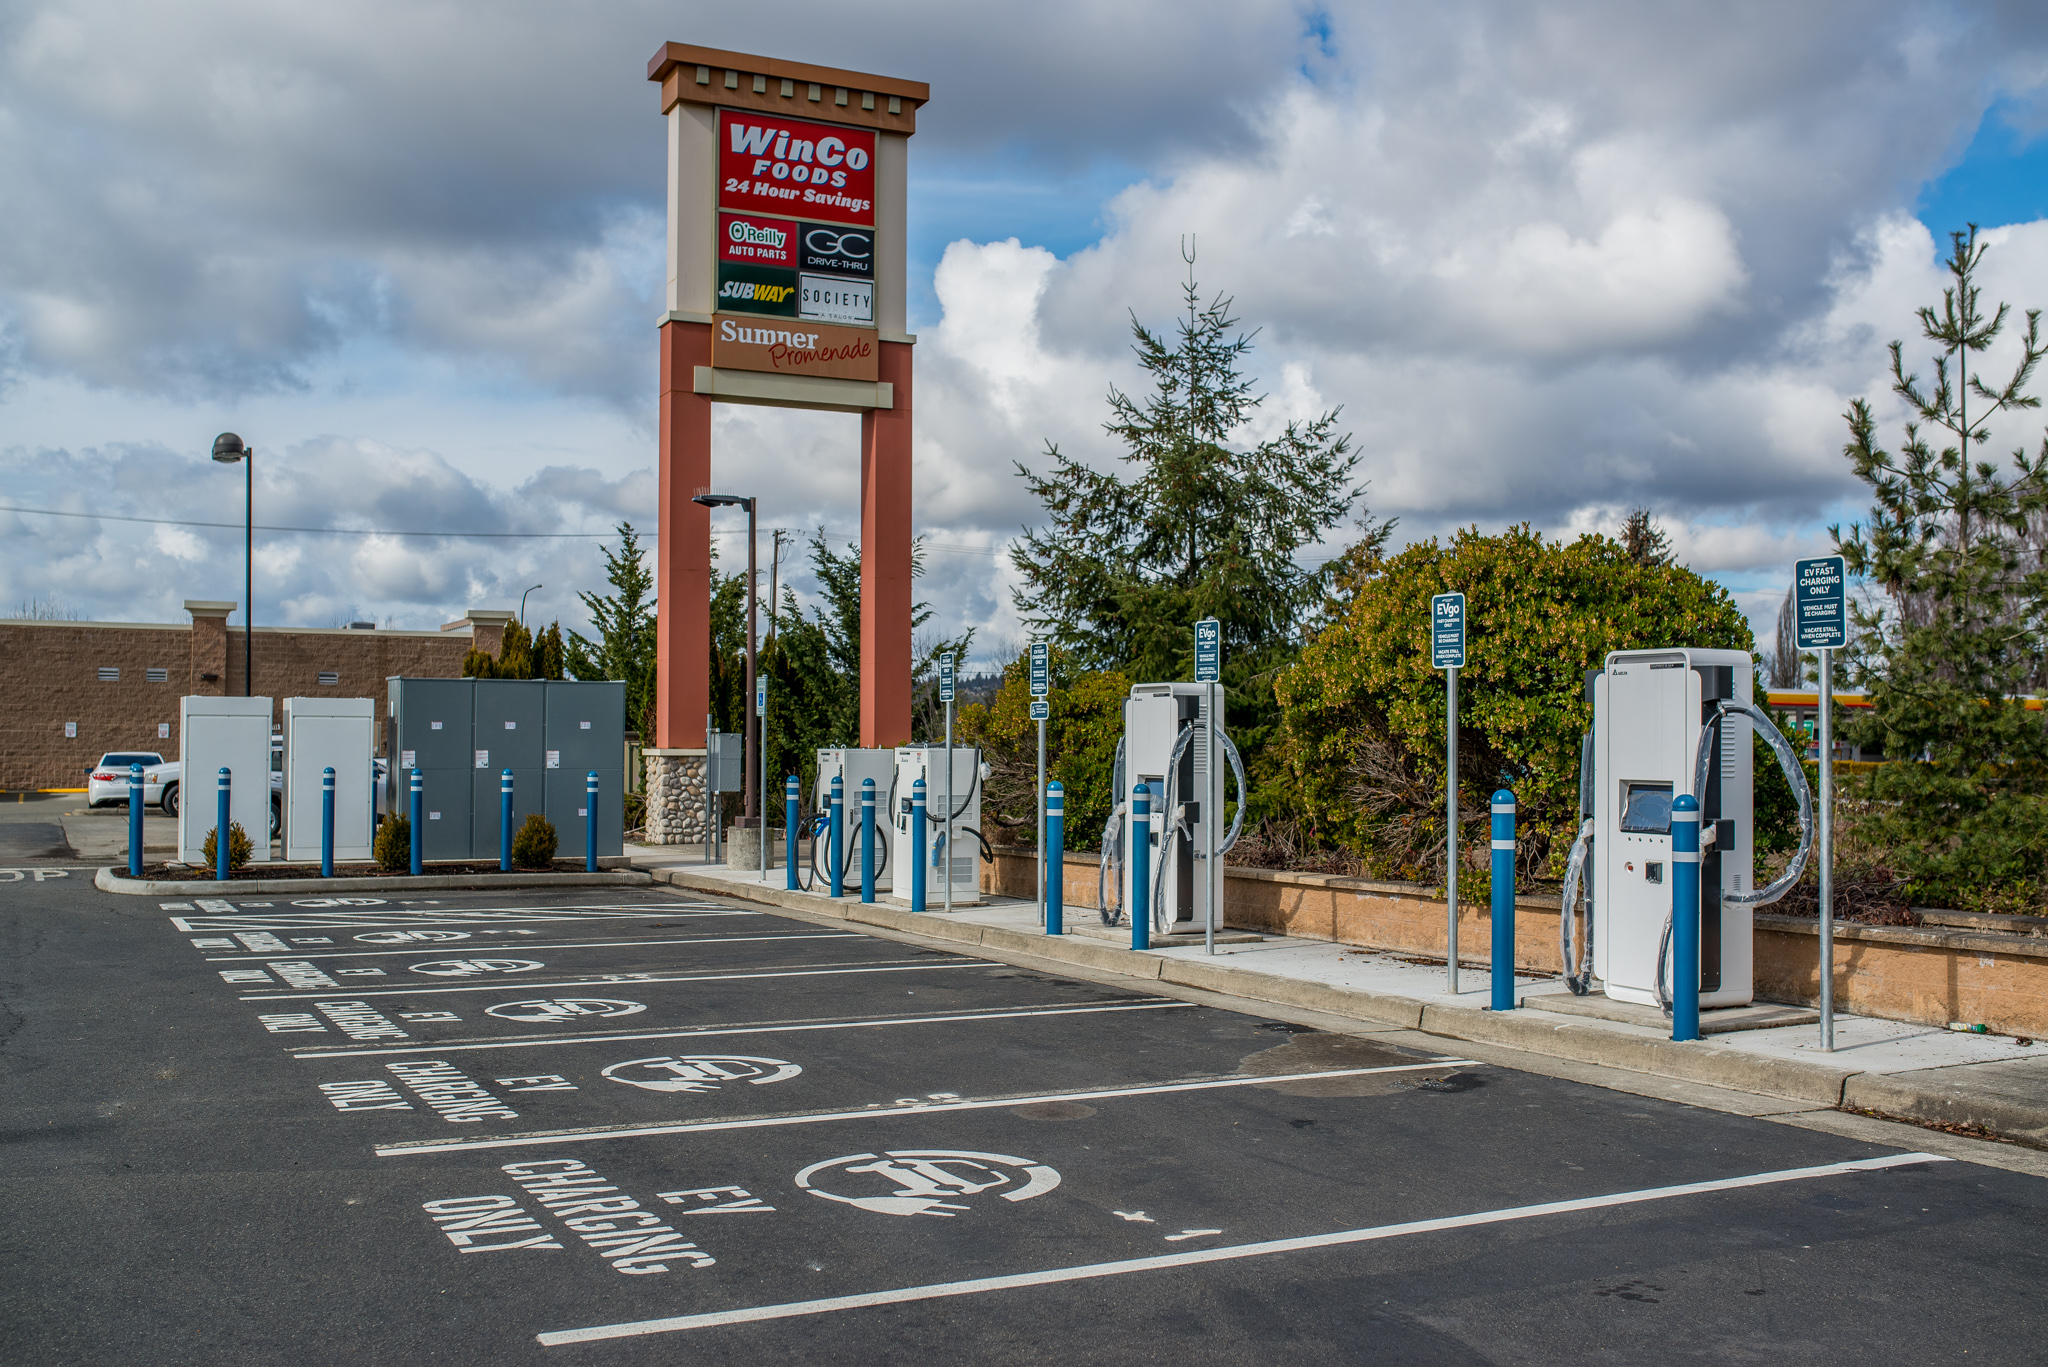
1670	722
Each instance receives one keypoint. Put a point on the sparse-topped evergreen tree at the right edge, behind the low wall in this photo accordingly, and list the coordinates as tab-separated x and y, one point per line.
1953	544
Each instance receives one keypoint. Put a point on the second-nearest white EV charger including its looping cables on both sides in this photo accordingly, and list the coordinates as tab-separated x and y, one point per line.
1162	749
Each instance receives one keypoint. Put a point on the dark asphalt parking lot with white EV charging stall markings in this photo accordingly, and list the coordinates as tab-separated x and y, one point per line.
632	1126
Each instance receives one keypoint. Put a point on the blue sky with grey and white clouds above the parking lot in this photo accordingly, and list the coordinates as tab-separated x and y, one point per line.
1553	261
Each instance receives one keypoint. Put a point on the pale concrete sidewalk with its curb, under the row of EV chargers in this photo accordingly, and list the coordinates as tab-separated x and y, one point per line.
1914	1073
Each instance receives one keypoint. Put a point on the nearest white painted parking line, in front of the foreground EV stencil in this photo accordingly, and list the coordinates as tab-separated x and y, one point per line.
1195	1257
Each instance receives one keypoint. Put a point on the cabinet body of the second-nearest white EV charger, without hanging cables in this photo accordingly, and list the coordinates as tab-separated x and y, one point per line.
1185	794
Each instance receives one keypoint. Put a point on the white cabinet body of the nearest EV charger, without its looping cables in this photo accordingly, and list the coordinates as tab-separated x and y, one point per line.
1650	708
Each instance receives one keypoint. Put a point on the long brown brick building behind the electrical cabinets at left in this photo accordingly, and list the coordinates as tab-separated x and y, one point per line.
75	690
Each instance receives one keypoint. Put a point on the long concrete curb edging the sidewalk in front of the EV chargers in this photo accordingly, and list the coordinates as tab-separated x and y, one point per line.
1535	1032
